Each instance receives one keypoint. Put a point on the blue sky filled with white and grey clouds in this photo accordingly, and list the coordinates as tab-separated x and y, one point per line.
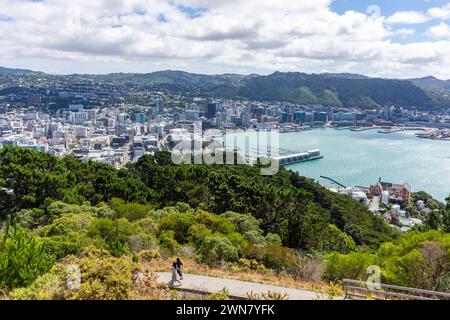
388	38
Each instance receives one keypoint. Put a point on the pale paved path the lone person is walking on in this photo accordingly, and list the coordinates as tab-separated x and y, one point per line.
236	289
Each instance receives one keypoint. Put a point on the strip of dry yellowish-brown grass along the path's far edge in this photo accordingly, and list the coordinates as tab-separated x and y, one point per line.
256	276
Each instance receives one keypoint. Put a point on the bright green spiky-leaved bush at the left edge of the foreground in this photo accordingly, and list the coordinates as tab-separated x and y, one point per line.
22	259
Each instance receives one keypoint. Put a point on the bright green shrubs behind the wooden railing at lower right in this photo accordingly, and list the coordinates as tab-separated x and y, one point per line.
418	260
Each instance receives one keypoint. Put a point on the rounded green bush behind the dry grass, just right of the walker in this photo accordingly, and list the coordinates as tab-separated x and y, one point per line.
217	250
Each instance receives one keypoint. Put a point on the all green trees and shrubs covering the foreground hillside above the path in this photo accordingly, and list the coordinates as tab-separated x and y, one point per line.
63	217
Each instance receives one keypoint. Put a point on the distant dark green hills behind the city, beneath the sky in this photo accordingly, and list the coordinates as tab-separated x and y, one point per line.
336	89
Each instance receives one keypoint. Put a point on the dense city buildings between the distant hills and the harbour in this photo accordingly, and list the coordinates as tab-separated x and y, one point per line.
116	127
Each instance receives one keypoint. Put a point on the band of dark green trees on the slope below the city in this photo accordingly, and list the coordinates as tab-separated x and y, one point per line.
291	206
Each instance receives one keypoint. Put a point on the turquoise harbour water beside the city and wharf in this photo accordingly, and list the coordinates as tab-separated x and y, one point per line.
360	158
